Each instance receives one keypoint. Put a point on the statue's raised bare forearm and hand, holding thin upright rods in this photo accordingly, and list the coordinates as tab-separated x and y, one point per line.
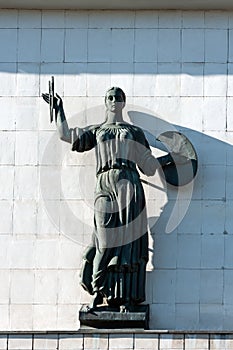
60	119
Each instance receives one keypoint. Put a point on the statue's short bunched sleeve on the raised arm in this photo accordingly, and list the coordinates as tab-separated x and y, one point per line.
83	139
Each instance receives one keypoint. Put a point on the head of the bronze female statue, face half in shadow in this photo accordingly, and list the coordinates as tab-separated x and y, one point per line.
115	99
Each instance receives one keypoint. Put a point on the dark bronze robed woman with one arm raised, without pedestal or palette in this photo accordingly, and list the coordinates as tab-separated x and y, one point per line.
115	264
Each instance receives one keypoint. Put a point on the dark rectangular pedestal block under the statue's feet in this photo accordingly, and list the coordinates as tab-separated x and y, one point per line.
110	318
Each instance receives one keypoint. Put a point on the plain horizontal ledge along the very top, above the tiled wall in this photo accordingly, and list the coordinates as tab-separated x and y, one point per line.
120	5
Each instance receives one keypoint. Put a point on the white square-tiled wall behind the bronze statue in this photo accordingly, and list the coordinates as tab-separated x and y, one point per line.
176	69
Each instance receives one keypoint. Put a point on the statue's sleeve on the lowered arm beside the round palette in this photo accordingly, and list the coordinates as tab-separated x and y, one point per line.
146	162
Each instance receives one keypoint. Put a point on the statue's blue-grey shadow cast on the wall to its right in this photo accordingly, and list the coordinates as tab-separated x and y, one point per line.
190	287
